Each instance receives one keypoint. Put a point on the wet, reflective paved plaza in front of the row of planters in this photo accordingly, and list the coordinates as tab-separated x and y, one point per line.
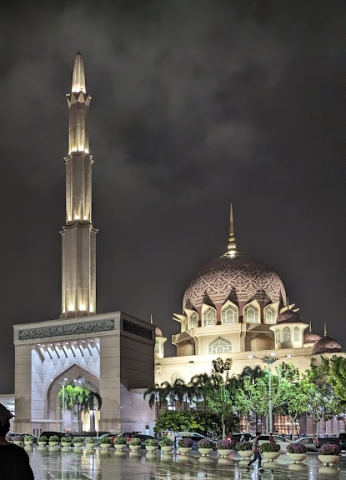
132	466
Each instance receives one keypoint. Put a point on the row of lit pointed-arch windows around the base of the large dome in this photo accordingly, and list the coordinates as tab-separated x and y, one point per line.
230	314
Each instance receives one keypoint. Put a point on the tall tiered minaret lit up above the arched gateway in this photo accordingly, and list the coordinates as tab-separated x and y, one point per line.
78	235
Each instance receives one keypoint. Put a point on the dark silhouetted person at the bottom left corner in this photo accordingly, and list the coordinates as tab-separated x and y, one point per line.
14	461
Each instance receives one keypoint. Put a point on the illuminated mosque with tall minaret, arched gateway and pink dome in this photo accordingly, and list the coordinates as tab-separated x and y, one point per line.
235	308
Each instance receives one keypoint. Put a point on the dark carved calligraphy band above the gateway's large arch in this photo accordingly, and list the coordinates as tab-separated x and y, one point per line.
62	330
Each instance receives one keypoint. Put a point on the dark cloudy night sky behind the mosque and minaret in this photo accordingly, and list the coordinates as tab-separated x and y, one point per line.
195	104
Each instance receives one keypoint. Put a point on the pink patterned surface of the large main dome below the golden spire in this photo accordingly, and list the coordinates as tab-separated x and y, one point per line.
240	275
